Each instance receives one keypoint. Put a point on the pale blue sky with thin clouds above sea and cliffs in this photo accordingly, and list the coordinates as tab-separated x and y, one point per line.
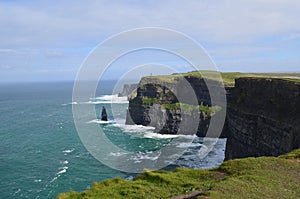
49	40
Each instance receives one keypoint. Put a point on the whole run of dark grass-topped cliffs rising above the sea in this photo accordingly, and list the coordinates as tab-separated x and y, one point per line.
263	114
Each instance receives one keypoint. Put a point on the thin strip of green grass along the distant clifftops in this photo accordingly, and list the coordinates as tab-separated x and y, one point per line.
227	78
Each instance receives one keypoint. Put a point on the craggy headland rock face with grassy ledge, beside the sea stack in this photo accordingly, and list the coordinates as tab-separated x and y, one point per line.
147	108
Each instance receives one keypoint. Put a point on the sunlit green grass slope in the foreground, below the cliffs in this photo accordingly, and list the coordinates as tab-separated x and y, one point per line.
263	177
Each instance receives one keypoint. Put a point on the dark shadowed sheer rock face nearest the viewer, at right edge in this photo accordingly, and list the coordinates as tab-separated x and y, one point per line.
263	117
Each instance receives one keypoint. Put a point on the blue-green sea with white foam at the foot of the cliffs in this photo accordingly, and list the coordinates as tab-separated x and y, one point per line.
41	154
